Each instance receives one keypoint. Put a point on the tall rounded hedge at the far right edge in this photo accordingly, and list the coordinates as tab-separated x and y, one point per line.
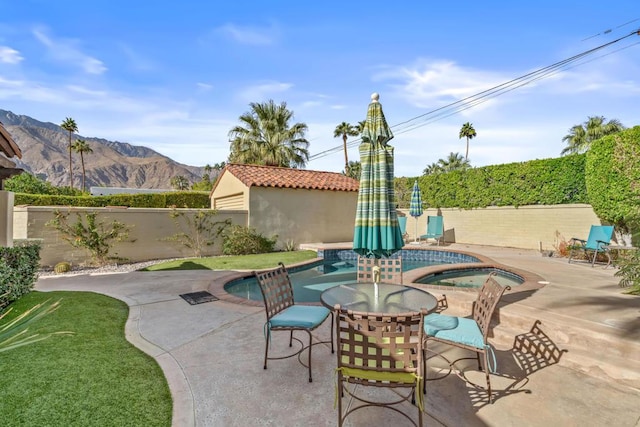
613	178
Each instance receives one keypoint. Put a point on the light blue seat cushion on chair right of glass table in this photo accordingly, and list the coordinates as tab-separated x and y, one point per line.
456	329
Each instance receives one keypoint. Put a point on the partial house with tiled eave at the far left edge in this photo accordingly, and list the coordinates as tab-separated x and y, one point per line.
8	149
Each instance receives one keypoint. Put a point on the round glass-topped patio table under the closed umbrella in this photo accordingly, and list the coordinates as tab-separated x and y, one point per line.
389	299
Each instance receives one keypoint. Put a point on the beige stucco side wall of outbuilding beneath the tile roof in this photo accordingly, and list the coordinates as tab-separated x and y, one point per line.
303	216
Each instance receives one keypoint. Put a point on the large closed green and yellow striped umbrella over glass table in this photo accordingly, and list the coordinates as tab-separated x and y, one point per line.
377	232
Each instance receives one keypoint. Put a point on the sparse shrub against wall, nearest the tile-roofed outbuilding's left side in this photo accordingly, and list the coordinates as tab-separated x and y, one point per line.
196	232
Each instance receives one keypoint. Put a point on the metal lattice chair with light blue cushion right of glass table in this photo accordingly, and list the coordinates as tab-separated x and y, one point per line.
468	333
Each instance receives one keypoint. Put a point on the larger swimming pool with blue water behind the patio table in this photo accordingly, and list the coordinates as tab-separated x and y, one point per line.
339	267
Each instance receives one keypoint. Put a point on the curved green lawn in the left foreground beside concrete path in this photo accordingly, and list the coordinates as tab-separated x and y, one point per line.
94	377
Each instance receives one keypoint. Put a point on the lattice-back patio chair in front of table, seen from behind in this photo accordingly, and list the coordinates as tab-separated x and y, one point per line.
379	350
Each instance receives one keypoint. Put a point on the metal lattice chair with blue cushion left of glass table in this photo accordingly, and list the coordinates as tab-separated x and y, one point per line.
284	315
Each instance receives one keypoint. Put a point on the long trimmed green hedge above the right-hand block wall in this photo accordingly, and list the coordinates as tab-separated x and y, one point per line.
536	182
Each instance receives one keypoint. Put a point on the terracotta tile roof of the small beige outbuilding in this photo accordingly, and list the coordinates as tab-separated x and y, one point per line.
270	176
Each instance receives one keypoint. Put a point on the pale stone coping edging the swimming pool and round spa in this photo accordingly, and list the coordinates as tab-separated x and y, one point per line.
532	281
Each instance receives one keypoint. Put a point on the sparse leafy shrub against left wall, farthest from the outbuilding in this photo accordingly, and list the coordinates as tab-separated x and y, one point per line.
89	233
